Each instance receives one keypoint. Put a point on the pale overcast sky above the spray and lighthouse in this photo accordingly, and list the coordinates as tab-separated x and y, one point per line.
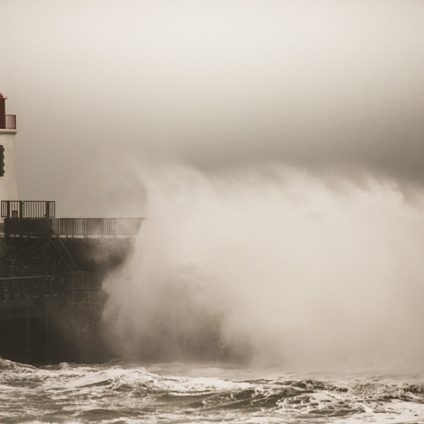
98	85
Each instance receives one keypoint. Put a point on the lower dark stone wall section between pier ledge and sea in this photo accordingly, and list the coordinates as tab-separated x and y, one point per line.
58	333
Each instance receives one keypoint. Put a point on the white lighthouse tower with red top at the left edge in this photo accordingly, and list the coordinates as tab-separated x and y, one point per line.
8	186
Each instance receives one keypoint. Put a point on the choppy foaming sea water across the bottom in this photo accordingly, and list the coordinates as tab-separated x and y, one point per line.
193	393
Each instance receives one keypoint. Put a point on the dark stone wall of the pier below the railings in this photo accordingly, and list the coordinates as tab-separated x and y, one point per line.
54	327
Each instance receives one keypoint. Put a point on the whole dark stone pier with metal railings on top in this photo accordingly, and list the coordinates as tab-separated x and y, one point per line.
51	274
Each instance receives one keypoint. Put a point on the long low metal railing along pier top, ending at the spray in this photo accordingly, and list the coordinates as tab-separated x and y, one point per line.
72	227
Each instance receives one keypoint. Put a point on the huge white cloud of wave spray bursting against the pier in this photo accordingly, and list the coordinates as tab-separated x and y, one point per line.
284	270
